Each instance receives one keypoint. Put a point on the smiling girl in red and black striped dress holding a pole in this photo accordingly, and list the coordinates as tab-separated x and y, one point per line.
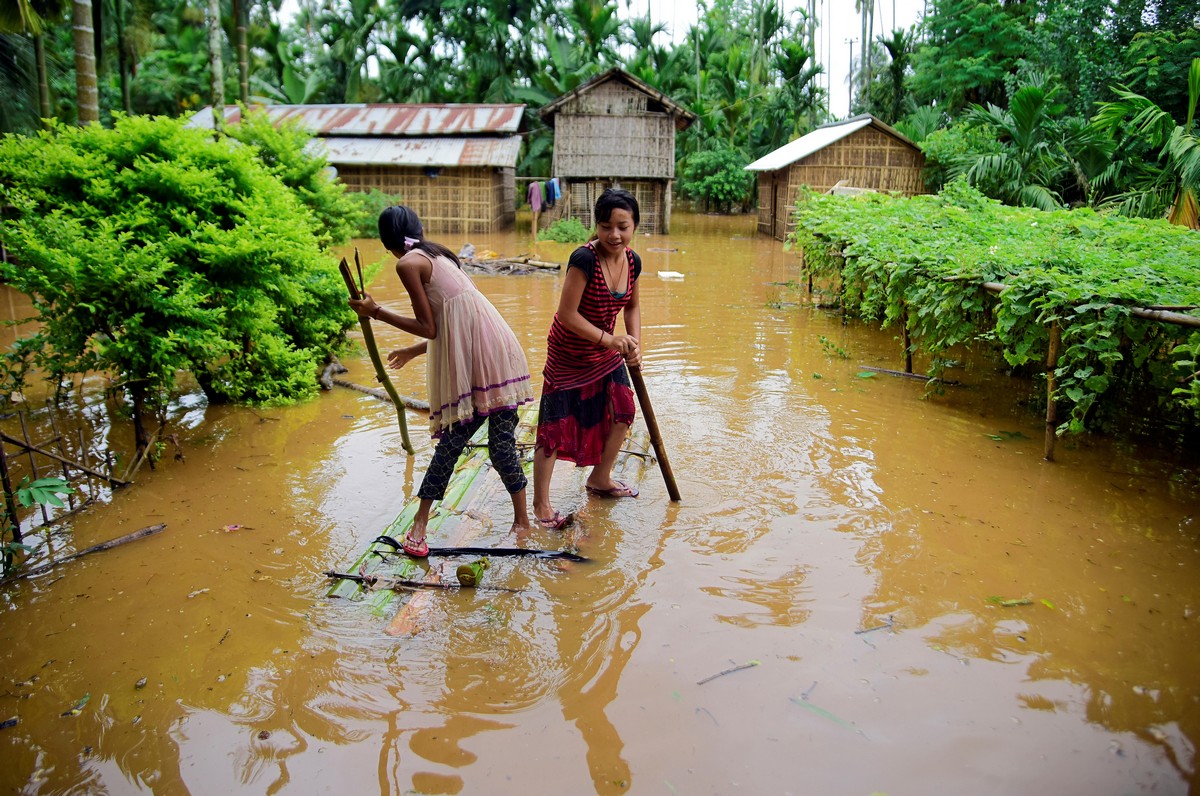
587	402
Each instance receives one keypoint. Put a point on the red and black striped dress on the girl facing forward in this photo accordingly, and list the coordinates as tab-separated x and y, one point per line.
586	386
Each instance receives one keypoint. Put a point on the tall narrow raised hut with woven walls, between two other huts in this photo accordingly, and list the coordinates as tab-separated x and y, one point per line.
617	131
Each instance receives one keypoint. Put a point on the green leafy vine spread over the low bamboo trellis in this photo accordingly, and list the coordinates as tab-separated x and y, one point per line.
928	260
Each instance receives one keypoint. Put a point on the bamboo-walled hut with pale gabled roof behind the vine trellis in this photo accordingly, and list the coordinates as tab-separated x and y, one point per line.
860	153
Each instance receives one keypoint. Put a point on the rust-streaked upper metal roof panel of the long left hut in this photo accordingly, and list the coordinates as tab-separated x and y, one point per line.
393	119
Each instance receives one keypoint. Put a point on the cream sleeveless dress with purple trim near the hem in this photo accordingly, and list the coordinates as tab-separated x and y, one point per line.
476	366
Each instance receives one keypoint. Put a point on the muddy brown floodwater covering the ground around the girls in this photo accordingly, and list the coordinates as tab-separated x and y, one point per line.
865	590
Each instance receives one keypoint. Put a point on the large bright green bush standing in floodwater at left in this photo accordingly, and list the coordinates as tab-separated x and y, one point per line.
151	250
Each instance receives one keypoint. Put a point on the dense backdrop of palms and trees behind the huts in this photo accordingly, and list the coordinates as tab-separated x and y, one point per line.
1003	92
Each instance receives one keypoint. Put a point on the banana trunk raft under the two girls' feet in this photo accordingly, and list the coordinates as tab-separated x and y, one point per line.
391	582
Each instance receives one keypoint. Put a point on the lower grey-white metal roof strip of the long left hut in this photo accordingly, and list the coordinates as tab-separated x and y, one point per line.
501	153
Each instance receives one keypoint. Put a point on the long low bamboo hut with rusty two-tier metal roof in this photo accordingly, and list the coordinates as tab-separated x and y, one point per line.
454	164
